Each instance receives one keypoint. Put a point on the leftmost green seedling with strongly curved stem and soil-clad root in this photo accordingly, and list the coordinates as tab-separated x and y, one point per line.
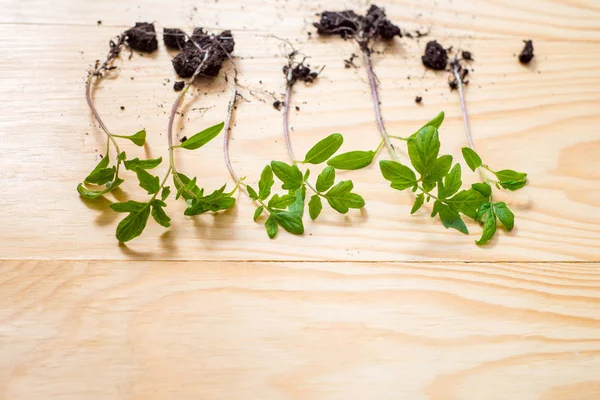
141	37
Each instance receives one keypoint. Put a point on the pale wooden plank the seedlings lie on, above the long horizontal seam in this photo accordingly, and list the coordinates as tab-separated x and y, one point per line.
540	119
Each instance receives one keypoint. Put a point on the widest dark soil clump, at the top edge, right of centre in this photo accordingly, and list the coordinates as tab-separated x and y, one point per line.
364	28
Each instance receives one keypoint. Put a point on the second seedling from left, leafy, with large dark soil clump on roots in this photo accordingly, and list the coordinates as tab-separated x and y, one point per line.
208	48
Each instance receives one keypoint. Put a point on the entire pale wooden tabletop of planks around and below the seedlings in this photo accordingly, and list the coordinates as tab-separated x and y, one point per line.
377	304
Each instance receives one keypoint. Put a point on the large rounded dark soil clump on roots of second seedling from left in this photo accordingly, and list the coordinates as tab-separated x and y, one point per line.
215	47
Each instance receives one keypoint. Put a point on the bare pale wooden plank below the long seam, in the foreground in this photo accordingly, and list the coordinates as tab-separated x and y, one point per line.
216	330
